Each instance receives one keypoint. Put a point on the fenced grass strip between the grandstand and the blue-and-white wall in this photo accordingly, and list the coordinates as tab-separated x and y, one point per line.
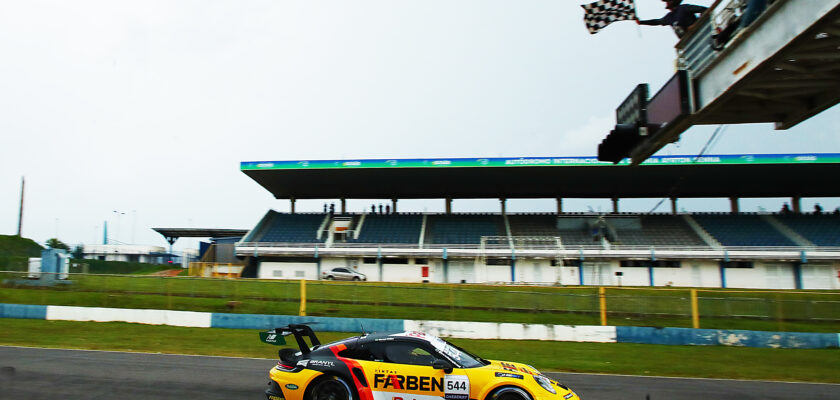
808	311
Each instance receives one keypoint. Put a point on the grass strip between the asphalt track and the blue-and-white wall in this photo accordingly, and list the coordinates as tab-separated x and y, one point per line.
615	358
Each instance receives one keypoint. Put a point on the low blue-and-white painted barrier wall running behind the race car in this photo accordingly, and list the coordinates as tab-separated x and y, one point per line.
454	329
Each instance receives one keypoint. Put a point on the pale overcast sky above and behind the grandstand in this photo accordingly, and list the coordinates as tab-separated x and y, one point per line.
147	107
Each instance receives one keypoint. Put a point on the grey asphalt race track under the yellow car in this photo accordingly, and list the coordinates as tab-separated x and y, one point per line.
32	373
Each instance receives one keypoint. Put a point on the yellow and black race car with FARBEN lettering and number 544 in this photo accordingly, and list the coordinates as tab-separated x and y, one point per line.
397	366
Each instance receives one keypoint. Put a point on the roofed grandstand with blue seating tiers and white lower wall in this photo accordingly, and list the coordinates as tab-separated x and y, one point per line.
735	249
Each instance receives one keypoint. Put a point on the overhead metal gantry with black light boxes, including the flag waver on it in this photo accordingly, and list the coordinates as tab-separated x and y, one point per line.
783	68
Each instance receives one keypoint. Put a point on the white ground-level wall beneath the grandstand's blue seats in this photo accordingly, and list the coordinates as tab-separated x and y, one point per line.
692	273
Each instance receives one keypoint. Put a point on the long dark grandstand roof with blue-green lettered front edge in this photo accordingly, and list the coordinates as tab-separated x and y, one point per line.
748	175
